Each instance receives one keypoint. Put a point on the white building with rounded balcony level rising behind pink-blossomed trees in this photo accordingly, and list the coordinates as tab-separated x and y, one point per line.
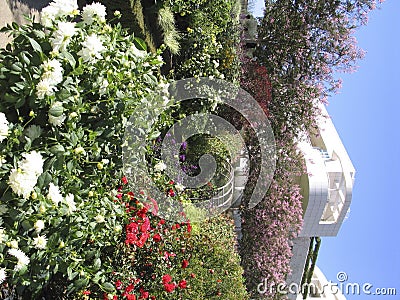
327	190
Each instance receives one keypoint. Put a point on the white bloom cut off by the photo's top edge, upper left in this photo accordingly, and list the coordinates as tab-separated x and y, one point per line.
56	9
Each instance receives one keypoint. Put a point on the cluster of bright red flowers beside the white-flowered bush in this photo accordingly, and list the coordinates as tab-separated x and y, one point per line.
150	236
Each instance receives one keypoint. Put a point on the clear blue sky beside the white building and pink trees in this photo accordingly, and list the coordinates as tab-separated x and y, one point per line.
366	114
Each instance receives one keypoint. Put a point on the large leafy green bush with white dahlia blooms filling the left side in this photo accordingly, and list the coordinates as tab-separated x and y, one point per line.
66	98
